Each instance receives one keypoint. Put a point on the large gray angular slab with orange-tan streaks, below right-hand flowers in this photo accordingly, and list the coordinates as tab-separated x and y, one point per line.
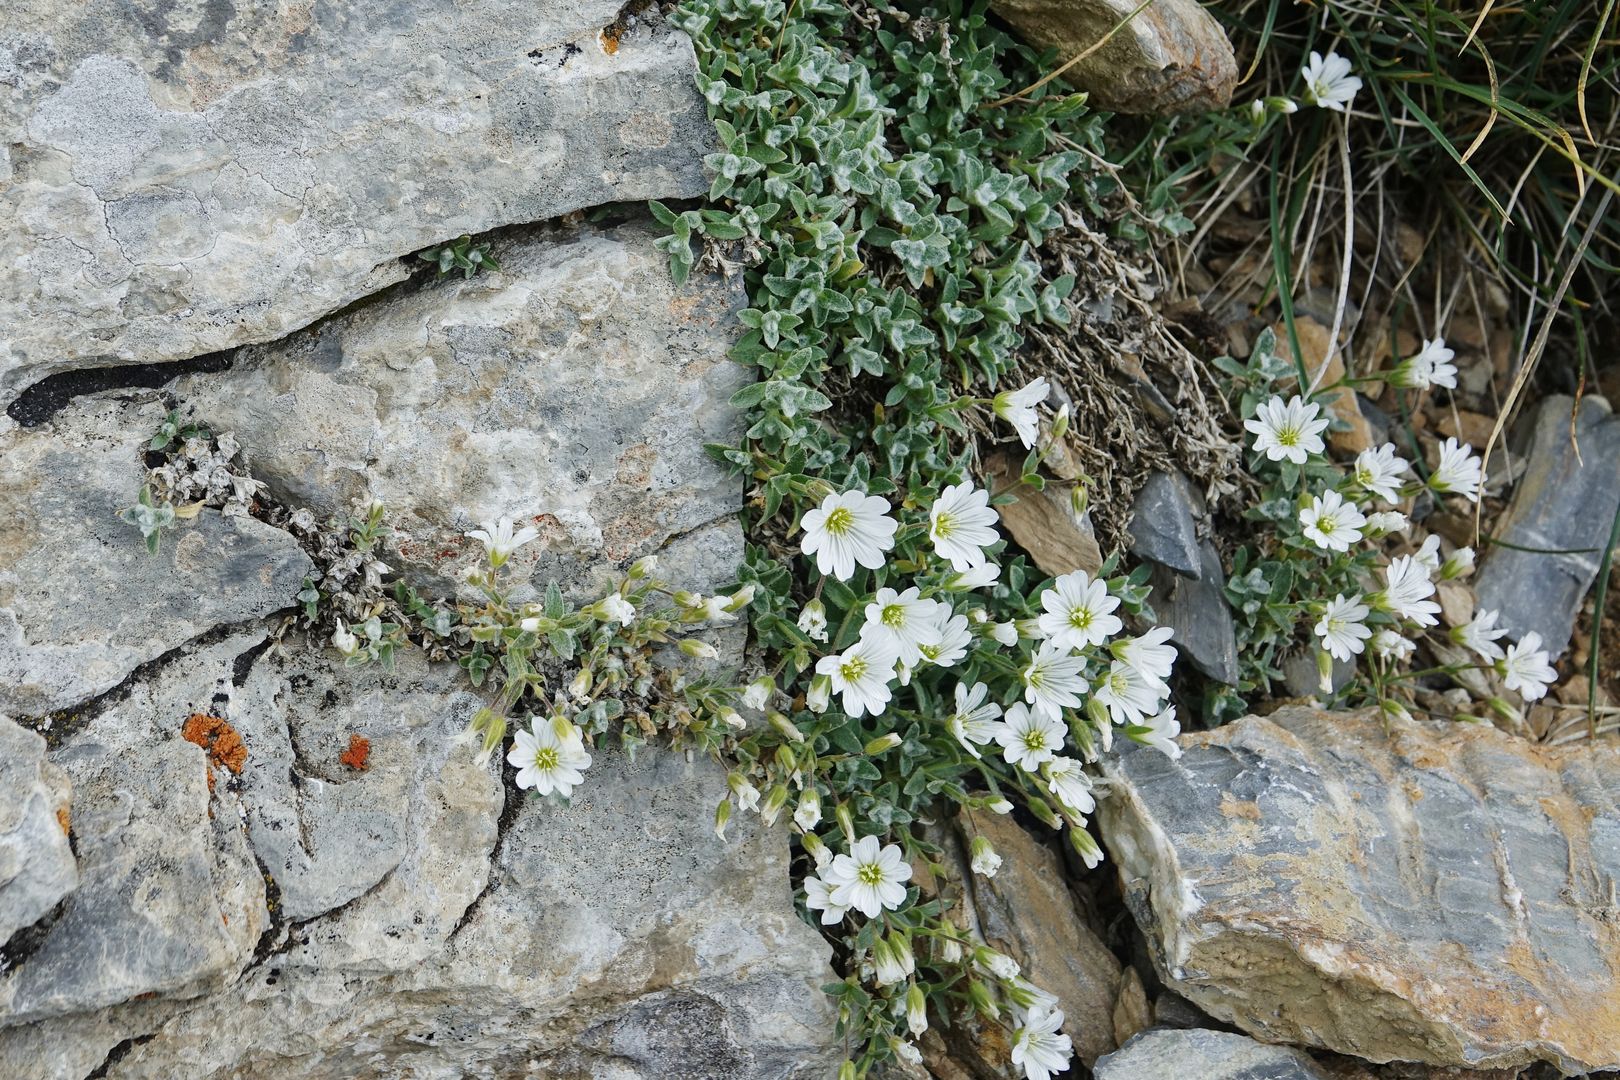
1438	895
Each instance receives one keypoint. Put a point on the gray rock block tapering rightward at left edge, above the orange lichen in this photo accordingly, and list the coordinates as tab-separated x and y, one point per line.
82	602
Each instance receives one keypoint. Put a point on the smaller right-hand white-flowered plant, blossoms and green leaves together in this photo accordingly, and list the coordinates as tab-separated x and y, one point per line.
1337	579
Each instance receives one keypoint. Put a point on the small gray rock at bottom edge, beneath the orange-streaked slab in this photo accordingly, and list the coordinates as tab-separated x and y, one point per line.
1203	1055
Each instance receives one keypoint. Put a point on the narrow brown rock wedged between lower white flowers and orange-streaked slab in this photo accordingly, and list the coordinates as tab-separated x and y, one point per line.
1028	912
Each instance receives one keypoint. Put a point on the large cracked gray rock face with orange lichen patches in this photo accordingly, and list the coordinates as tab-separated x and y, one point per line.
224	854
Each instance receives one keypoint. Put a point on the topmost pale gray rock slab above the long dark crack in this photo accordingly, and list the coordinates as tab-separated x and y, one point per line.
181	181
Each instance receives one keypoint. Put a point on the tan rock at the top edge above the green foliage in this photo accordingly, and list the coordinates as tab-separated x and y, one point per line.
1170	57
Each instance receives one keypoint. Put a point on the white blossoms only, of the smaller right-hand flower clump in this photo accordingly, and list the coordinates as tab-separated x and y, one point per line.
1339	519
